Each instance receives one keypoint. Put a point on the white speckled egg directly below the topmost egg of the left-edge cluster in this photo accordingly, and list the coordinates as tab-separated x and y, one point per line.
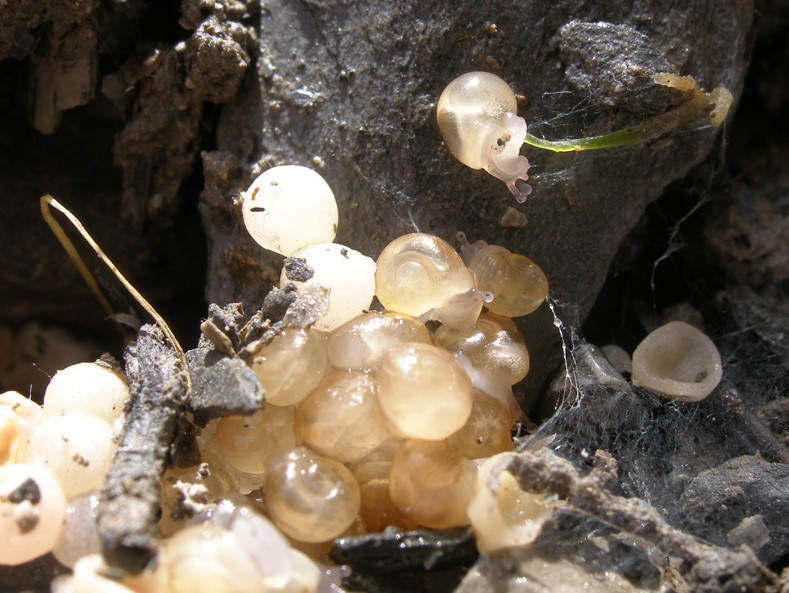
76	448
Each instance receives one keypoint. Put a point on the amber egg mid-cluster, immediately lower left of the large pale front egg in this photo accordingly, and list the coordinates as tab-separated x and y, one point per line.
342	418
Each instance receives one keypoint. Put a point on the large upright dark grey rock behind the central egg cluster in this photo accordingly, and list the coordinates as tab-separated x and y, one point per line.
351	90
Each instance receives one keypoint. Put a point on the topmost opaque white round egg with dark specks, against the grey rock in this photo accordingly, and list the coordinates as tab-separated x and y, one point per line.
288	208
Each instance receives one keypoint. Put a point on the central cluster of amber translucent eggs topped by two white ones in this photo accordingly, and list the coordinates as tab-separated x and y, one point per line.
373	418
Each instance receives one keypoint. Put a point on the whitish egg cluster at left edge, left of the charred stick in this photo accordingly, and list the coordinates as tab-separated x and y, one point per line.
54	460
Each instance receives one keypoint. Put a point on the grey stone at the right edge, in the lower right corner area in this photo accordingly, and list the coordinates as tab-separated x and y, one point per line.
718	500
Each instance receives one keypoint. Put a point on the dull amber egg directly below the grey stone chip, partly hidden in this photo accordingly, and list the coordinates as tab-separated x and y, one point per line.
245	442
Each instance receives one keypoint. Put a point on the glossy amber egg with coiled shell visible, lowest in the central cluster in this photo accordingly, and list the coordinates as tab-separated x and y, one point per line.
310	498
